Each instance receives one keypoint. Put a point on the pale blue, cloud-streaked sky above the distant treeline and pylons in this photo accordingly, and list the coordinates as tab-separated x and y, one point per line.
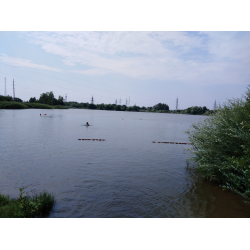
141	68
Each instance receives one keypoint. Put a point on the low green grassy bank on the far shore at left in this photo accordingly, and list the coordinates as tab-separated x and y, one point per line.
26	105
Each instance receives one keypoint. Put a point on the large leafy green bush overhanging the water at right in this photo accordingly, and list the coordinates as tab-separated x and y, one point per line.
221	146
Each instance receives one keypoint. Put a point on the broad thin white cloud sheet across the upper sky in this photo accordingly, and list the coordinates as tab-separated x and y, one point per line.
199	57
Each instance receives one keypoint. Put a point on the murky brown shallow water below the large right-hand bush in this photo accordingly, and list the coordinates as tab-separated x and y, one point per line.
206	199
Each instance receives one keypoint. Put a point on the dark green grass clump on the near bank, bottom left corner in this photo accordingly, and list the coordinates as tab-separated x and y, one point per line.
26	206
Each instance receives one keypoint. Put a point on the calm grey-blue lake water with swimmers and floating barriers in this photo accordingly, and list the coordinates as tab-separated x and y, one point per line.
124	176
